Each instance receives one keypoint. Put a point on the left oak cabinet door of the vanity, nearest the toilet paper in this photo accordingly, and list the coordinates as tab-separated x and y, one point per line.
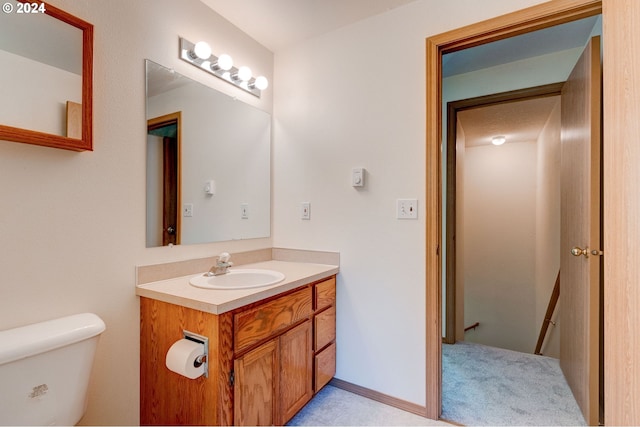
256	386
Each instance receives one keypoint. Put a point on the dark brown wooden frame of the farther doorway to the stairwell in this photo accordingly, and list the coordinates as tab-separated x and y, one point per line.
453	107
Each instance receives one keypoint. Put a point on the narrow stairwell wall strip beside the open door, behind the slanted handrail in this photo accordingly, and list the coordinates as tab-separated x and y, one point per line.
548	227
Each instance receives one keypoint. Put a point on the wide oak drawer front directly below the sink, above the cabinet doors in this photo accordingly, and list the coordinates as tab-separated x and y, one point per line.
265	320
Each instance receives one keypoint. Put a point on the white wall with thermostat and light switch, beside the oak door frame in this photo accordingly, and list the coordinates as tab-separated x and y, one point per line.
356	97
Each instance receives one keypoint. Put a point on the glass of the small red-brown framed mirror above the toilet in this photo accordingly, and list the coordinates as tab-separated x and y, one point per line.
41	69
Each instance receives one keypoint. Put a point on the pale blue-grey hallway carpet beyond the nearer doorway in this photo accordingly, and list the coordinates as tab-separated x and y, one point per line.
484	385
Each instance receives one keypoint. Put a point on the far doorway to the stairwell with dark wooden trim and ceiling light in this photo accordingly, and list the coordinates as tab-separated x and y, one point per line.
519	115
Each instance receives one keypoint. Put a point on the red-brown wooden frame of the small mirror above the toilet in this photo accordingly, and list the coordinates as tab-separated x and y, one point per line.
10	133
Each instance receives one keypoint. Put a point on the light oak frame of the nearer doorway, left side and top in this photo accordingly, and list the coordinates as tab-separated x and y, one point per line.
523	21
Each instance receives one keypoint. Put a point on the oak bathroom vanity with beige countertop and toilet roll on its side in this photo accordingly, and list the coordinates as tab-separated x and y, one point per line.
270	349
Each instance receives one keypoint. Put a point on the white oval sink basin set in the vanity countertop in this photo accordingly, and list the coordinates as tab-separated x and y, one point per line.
243	278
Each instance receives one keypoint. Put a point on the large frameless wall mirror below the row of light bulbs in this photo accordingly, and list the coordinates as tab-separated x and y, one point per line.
208	163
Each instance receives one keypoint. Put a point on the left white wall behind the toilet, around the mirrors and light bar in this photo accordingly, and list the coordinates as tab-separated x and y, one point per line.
73	224
